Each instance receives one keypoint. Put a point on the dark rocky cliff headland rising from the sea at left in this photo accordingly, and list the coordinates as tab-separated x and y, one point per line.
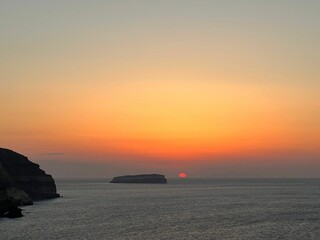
22	182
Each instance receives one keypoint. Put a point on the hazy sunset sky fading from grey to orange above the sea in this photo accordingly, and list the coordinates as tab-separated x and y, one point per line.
211	88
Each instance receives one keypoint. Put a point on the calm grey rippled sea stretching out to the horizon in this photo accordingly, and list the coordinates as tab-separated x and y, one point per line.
183	209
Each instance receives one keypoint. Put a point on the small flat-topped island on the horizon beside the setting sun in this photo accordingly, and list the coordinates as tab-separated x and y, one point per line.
142	178
